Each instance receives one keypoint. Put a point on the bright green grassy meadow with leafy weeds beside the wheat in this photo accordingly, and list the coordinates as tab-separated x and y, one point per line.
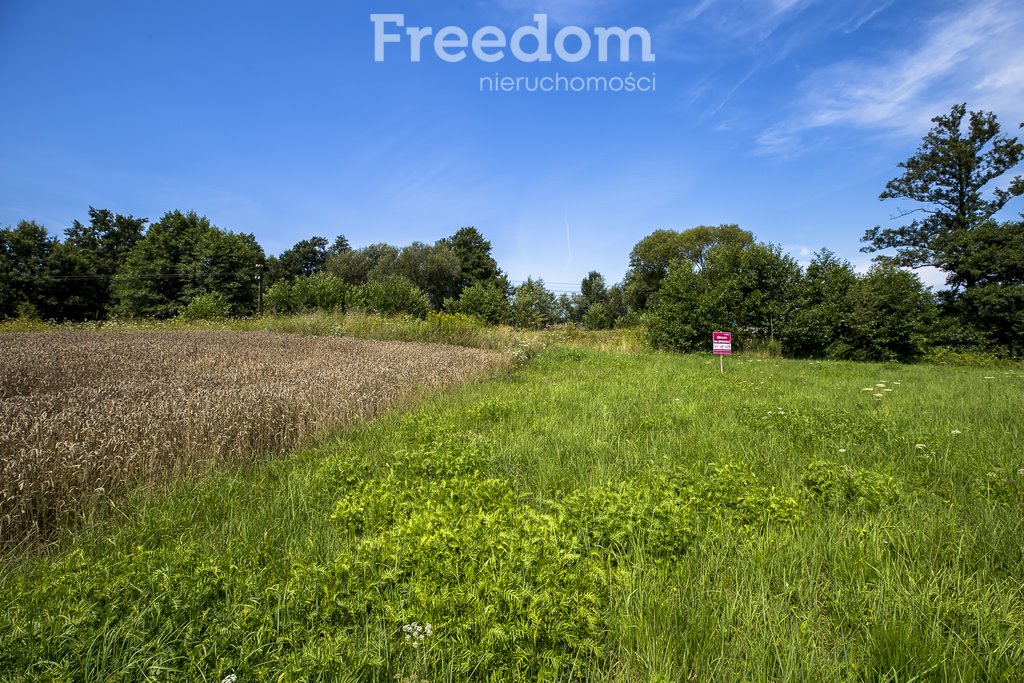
590	517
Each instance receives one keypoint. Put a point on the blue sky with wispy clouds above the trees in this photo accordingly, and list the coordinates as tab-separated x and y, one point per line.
787	117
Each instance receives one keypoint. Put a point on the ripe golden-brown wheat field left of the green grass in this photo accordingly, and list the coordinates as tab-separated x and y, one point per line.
88	415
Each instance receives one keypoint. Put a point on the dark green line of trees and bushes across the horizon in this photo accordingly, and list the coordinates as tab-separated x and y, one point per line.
679	287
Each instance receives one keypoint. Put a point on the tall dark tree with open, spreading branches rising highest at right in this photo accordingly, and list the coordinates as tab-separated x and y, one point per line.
949	177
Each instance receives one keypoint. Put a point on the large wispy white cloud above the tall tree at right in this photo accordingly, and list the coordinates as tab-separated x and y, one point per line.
972	55
